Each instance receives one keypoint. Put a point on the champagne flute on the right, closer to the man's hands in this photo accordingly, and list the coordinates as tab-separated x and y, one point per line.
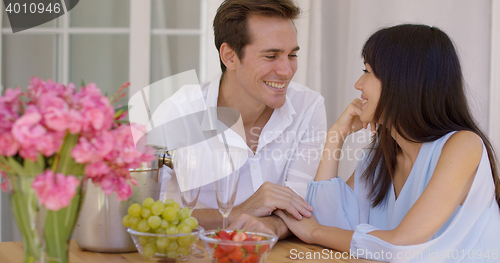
226	164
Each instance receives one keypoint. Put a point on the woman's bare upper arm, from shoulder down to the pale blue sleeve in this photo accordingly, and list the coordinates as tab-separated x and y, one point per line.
448	187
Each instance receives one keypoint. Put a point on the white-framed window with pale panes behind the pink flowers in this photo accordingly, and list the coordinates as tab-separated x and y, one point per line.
93	43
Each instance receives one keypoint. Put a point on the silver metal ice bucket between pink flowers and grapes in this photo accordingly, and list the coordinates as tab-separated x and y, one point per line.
99	227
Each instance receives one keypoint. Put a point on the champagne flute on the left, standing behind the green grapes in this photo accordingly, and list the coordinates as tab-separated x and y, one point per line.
188	164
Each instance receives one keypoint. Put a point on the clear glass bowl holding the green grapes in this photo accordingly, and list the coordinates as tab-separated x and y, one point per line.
161	247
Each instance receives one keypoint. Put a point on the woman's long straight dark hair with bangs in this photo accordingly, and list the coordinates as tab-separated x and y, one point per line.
422	97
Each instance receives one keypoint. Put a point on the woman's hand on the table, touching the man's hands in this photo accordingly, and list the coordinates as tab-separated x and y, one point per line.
303	228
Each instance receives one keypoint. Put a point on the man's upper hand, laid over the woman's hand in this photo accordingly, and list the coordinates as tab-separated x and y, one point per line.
270	197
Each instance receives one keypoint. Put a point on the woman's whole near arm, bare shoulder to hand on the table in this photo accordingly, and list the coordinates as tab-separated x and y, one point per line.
448	187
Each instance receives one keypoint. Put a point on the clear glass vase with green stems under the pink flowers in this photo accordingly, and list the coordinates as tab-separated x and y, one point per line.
45	233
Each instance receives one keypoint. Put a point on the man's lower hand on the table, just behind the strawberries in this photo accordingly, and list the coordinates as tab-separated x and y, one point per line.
272	225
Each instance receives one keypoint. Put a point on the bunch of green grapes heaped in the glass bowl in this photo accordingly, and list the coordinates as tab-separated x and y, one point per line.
162	218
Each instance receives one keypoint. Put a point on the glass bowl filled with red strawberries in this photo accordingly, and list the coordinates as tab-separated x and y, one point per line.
225	246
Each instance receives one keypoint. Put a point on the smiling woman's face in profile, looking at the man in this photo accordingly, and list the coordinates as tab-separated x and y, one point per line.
371	88
